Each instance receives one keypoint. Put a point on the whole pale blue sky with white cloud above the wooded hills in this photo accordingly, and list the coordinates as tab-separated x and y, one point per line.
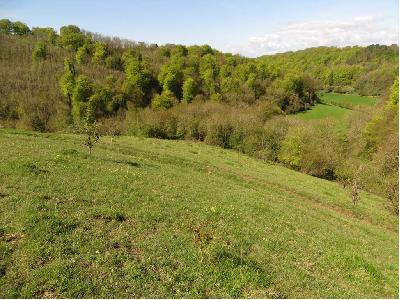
251	28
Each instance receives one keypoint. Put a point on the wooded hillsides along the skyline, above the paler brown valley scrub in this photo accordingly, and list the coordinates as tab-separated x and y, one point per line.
51	80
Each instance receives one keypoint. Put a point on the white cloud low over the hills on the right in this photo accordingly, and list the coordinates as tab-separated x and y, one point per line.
363	30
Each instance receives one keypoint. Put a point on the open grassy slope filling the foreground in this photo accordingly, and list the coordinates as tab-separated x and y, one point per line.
118	224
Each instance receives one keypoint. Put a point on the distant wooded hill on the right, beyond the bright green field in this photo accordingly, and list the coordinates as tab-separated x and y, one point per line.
366	70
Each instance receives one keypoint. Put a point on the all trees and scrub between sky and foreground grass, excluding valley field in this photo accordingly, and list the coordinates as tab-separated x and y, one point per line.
51	81
